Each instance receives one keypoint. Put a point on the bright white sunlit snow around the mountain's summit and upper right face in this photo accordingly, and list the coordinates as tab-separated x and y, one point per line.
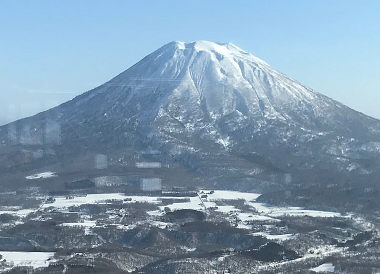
223	78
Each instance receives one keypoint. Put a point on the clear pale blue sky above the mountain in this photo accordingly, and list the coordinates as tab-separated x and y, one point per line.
51	51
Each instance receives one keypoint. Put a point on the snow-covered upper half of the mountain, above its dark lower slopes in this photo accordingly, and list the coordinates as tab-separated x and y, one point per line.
183	89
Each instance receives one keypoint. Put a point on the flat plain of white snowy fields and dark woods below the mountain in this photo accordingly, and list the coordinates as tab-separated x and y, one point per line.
144	231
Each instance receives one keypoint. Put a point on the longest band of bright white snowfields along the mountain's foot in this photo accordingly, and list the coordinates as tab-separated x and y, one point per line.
260	211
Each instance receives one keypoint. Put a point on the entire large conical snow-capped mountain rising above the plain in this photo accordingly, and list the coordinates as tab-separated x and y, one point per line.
213	108
